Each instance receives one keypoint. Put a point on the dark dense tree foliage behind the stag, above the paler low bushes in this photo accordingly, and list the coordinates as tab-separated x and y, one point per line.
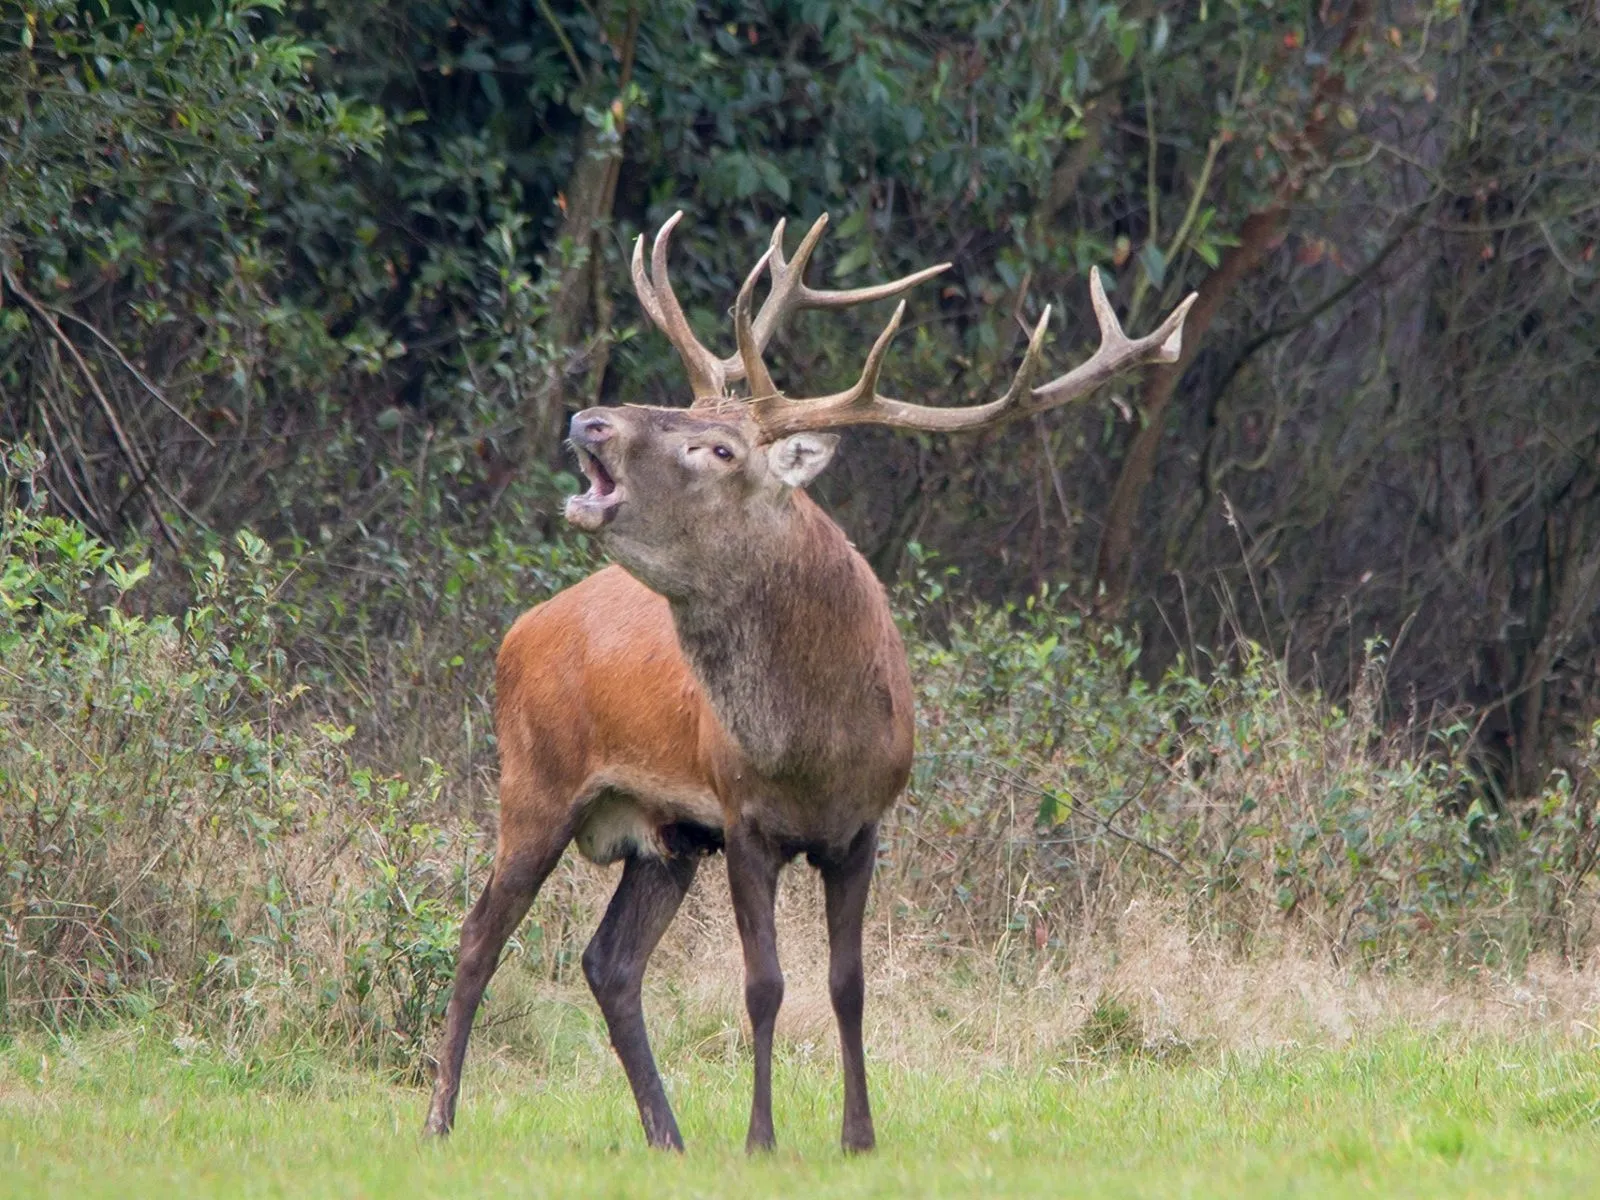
268	263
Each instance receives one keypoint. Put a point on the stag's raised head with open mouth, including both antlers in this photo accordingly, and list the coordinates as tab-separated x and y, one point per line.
678	490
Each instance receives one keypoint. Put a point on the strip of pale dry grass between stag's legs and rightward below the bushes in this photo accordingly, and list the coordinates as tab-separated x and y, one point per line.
1009	1006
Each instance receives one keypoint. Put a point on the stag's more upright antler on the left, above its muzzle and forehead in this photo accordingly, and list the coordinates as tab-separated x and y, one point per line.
710	375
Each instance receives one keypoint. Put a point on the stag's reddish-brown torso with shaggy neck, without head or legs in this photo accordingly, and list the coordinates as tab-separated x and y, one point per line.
601	710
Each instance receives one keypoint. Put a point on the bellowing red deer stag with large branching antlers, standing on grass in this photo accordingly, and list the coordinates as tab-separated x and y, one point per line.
734	684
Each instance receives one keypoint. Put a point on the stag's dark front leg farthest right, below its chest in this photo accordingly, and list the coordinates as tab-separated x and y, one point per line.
846	884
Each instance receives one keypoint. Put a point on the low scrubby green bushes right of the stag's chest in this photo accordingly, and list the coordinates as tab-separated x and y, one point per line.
1052	785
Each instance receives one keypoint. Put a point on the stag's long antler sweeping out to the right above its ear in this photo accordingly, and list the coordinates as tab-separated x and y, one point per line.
862	406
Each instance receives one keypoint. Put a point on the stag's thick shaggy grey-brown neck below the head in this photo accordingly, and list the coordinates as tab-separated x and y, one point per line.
793	655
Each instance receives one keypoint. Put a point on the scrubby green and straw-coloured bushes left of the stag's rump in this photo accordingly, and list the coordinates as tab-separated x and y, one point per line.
178	834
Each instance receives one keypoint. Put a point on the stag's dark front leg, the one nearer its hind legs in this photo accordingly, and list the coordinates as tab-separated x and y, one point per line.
753	879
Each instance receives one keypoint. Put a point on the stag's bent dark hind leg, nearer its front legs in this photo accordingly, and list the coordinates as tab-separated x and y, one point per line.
615	961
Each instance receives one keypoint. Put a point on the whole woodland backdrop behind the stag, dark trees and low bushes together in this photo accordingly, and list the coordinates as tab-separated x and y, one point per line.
297	298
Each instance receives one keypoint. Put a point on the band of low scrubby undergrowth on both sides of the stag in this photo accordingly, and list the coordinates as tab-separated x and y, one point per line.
186	825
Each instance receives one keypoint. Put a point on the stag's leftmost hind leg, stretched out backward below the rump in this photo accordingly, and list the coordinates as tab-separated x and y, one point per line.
521	870
